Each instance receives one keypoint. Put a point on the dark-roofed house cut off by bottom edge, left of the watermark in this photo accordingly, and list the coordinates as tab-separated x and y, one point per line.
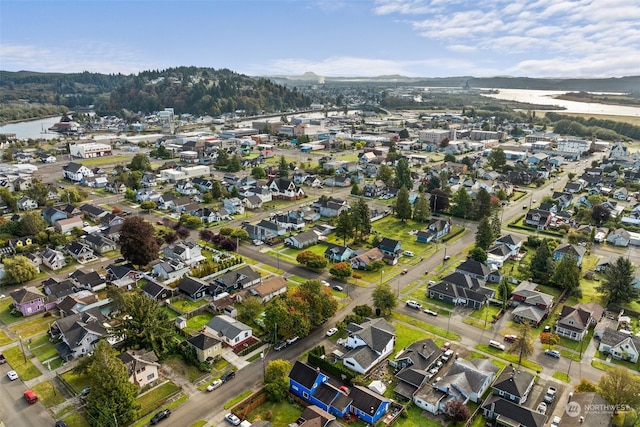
503	412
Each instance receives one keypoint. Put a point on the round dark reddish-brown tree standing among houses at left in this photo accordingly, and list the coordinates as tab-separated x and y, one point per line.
138	242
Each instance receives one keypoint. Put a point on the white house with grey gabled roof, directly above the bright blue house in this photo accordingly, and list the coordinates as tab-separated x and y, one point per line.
369	343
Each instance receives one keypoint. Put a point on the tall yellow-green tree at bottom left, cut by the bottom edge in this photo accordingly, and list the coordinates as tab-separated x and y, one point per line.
112	395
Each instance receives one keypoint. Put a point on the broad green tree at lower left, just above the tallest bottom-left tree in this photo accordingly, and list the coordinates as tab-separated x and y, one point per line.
145	324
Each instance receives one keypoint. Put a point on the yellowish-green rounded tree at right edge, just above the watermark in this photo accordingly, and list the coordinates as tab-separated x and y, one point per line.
620	386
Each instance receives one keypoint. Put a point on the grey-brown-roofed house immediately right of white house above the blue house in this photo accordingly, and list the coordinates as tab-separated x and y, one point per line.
412	367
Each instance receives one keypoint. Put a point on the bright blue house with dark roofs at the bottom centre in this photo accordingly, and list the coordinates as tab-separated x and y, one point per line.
311	385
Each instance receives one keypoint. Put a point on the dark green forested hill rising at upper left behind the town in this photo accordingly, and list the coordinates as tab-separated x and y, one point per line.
192	90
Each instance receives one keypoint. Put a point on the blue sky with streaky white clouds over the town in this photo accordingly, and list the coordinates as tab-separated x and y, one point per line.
417	38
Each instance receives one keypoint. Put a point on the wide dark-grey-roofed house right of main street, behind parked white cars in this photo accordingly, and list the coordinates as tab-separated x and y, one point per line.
460	289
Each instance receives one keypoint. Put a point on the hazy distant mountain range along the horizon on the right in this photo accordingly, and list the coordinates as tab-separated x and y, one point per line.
611	84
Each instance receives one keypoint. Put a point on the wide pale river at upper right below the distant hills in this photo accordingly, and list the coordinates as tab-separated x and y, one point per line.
546	97
